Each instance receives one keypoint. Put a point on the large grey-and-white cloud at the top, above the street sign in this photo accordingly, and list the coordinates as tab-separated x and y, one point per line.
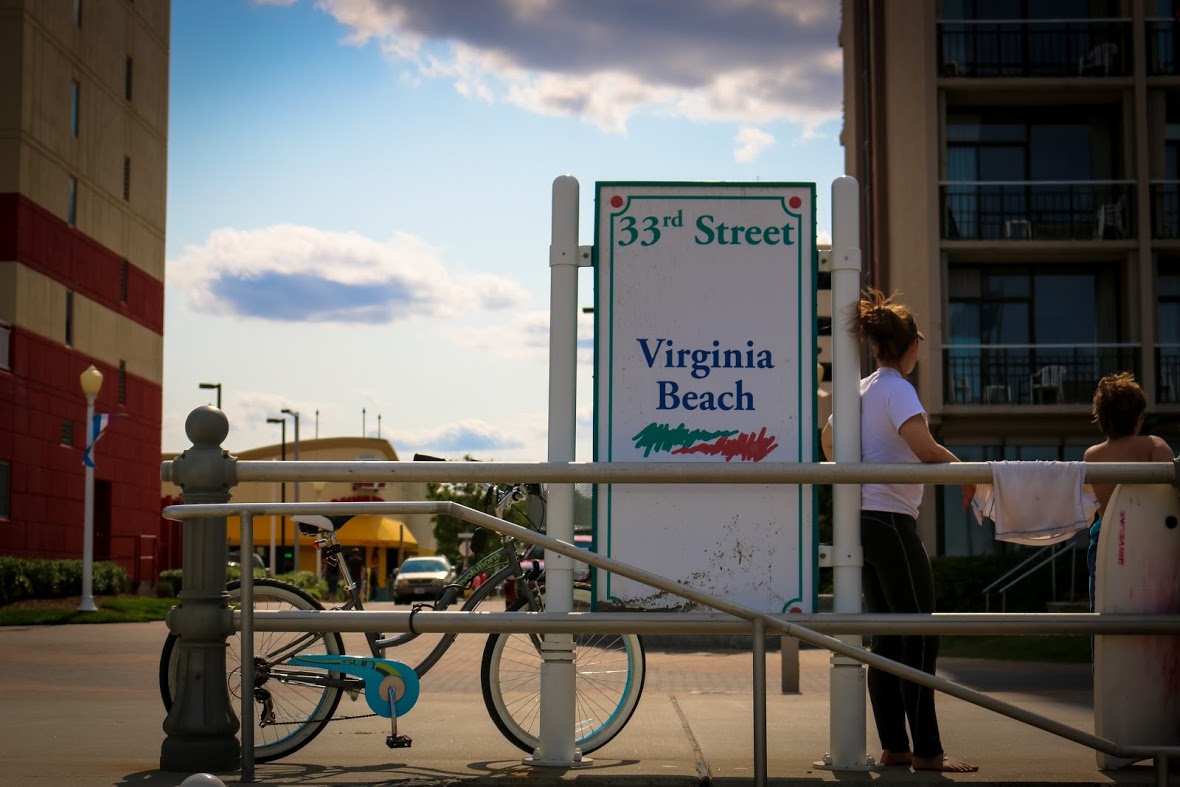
607	61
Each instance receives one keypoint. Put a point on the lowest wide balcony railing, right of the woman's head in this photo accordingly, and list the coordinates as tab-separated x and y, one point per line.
1033	375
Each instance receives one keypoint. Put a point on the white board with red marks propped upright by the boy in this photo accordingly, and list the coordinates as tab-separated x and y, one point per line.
1137	679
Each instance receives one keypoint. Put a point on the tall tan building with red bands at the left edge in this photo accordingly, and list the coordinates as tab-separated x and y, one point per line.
83	186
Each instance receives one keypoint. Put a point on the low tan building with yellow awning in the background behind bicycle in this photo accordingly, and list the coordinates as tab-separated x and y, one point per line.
384	541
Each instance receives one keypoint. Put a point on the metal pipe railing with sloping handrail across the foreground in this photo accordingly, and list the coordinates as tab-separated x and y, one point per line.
647	622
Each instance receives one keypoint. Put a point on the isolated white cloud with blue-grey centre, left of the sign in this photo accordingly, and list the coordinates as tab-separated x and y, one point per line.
291	274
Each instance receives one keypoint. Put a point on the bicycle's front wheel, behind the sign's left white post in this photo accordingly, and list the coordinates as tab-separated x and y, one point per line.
609	673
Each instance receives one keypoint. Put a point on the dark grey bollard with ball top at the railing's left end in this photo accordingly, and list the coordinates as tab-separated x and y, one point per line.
201	727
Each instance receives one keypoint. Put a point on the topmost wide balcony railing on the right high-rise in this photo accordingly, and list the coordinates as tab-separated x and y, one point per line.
1043	48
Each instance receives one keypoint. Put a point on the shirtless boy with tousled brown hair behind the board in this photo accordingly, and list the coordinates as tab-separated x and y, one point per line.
1119	408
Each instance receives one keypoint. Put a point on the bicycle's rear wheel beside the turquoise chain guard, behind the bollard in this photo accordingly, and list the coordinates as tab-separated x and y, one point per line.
292	704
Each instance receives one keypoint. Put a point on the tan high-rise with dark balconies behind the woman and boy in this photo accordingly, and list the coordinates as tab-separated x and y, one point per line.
1020	167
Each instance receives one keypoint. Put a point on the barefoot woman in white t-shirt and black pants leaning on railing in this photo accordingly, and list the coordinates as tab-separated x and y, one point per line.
897	576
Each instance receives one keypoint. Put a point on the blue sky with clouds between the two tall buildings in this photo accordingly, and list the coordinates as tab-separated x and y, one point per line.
360	194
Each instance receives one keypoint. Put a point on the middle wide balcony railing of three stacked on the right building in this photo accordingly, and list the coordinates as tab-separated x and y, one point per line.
1038	211
